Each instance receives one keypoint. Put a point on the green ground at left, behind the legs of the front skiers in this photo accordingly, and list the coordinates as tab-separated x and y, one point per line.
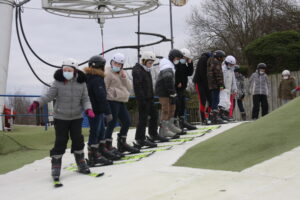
25	144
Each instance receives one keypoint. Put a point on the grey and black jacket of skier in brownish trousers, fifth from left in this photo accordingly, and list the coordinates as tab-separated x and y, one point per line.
165	83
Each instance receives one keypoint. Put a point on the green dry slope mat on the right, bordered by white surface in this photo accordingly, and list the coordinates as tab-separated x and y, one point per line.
250	143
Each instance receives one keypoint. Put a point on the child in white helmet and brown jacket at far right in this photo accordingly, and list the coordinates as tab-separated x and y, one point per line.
287	84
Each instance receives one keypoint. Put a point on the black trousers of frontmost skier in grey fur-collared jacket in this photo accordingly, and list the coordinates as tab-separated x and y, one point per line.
64	129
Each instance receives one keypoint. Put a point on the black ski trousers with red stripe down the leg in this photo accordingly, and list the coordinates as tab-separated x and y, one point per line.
204	97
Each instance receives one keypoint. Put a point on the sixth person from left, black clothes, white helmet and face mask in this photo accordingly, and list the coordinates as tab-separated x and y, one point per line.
183	70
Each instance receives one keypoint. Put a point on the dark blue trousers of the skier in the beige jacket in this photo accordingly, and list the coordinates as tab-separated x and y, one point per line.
119	112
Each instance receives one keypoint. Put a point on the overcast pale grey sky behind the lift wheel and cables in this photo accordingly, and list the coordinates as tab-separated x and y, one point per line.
55	38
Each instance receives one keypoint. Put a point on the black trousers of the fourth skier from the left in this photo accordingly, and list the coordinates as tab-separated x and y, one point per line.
146	109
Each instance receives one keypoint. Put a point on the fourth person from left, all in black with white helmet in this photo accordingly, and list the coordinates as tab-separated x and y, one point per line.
143	89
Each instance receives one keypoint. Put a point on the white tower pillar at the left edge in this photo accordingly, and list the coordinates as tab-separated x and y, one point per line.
6	10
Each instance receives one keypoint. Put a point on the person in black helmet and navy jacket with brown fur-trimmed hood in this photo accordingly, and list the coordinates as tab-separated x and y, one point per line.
97	94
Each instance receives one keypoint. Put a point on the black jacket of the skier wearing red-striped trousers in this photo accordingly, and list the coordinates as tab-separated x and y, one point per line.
200	76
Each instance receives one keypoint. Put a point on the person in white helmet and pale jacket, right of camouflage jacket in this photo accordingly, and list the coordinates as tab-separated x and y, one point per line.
230	86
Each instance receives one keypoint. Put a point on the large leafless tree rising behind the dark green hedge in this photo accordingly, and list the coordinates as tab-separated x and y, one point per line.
231	24
